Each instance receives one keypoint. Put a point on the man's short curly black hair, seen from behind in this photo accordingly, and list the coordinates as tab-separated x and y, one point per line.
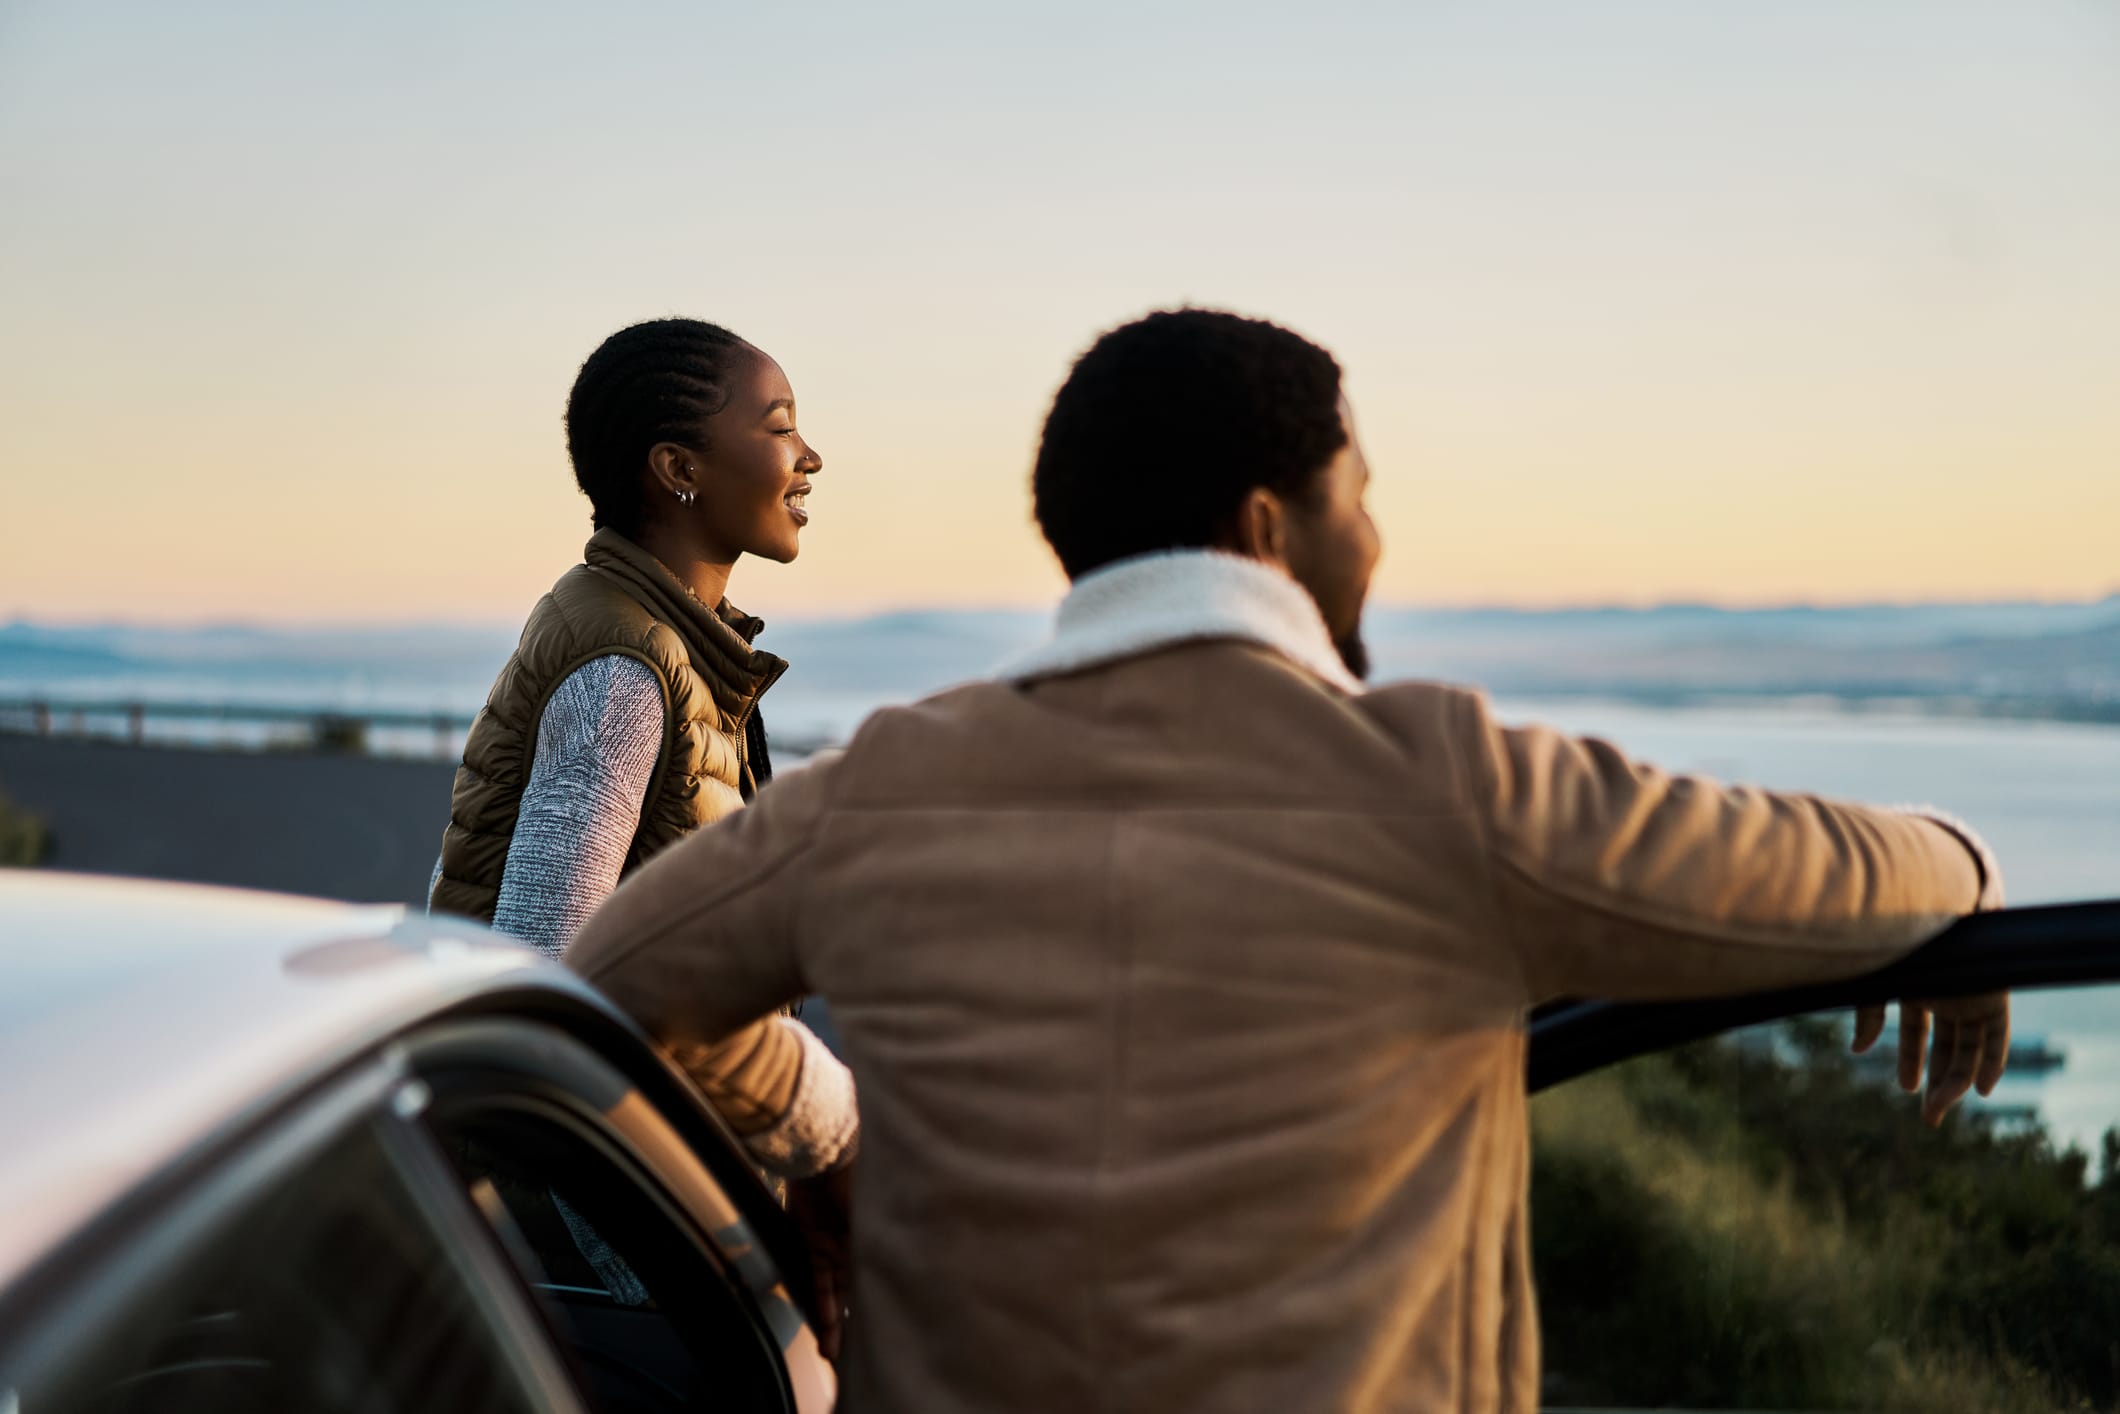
1165	427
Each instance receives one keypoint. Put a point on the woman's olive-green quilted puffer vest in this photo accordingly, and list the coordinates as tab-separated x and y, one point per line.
618	601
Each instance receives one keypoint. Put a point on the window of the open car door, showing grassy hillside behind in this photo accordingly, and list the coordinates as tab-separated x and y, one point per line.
1763	1222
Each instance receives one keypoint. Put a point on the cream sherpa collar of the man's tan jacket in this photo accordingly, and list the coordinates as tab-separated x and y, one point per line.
1182	597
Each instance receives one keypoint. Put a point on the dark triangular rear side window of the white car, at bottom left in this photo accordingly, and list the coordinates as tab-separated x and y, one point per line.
330	1294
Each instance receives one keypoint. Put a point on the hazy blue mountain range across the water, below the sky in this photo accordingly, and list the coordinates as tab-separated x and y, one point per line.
2030	660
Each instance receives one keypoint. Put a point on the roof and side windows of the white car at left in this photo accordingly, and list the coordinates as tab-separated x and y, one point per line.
279	1154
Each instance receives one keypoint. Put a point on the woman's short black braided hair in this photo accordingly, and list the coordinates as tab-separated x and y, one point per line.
646	385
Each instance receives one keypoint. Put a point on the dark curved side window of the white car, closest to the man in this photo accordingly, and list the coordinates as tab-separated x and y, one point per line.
648	1315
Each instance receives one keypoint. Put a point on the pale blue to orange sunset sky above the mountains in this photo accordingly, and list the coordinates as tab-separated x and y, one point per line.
1638	300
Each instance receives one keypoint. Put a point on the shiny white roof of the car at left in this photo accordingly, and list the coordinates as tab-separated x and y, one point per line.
141	1021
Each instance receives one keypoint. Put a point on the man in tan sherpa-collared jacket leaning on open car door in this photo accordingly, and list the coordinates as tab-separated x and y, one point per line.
1184	978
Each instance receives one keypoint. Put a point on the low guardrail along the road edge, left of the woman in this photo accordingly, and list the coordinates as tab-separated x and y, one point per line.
336	730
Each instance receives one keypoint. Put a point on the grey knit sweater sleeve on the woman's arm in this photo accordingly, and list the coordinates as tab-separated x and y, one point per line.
597	749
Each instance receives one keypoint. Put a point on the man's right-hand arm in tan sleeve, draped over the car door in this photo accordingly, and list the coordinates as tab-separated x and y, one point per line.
1616	879
